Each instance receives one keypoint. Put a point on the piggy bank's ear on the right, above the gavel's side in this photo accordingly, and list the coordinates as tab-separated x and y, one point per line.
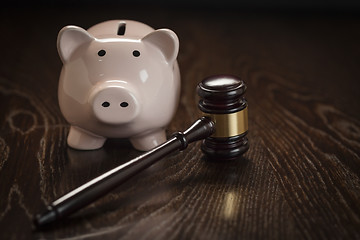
166	40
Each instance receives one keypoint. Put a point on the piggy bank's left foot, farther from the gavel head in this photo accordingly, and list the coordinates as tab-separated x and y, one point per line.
83	140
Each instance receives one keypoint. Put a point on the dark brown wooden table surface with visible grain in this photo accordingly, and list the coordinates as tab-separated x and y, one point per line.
300	178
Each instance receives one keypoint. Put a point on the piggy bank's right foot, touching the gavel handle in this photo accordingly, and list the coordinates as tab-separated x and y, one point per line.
145	142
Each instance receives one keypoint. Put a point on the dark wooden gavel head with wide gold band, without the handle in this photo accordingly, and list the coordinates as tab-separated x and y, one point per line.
222	101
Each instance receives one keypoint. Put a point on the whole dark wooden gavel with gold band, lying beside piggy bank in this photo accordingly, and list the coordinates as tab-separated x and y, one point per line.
223	129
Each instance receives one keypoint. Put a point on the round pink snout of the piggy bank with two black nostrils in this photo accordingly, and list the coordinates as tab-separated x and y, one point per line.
115	104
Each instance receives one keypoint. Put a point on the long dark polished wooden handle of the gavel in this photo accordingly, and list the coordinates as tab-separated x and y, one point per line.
103	184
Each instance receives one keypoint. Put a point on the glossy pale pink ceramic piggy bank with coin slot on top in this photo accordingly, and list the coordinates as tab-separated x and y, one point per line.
120	79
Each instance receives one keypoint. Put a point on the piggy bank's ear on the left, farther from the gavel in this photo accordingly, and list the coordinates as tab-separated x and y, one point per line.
69	39
